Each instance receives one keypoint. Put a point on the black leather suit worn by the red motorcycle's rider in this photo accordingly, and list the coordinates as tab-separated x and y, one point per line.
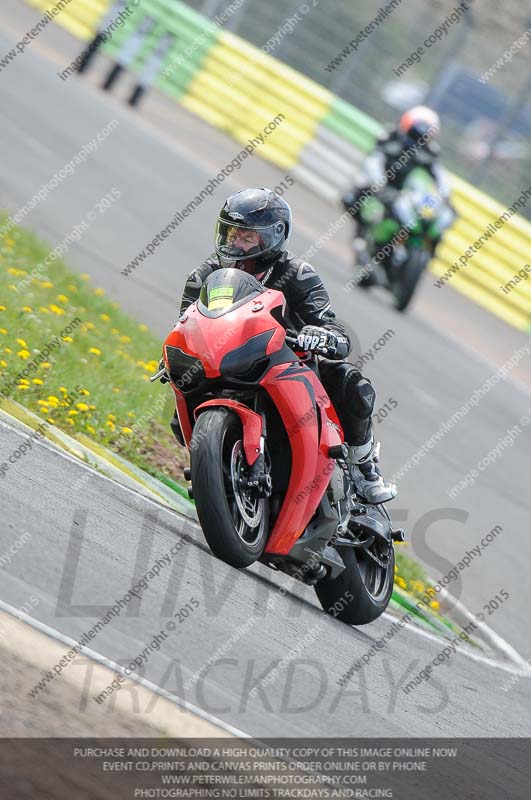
308	303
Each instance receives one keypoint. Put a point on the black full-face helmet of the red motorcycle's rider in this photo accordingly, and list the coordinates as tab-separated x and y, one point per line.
258	210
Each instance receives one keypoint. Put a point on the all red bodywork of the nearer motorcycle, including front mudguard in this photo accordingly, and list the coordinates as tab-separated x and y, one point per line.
294	388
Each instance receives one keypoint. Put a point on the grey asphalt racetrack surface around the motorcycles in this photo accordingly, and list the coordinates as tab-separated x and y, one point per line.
439	354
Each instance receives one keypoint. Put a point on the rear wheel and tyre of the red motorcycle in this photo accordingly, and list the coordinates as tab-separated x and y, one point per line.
361	593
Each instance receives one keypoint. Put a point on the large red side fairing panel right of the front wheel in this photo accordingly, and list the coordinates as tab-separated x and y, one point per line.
300	396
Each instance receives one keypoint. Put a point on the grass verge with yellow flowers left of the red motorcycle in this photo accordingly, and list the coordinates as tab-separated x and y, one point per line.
97	382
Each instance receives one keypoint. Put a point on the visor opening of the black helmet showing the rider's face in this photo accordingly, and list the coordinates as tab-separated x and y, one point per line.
240	242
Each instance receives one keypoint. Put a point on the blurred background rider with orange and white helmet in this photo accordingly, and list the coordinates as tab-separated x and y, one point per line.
397	153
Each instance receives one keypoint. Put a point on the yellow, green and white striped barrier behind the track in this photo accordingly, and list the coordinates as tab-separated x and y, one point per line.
239	88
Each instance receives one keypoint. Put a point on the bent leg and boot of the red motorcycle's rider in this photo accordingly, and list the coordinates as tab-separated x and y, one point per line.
353	397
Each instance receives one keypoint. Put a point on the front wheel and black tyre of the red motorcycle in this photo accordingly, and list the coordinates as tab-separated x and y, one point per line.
234	520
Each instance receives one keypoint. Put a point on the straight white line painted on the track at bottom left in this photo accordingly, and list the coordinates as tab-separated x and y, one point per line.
107	662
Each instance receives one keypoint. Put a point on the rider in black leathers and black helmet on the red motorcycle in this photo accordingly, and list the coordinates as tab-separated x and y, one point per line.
252	233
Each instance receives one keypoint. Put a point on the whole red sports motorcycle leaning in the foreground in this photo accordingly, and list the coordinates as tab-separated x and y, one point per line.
267	455
